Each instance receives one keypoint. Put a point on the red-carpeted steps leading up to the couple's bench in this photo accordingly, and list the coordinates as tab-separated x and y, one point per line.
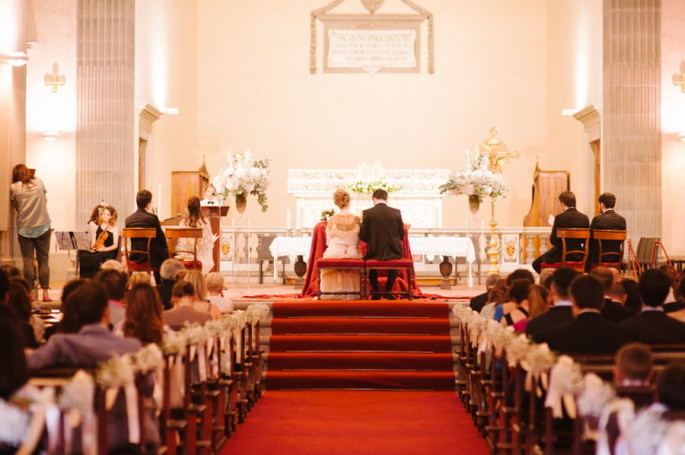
360	345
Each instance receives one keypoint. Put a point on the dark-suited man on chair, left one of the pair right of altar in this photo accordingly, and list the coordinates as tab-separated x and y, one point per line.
568	218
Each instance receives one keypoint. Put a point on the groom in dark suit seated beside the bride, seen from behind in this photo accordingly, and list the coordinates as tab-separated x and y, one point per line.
383	230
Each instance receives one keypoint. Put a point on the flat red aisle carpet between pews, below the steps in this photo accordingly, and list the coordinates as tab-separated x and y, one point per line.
359	423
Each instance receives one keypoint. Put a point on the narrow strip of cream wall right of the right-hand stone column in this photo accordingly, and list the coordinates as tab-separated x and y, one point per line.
672	123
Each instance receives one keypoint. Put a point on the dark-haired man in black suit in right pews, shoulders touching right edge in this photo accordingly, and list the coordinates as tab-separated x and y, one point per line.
652	325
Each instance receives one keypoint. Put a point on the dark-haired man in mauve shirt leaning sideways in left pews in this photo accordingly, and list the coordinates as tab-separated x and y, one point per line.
93	344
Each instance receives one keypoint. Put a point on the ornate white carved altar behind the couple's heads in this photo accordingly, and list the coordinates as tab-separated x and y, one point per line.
415	192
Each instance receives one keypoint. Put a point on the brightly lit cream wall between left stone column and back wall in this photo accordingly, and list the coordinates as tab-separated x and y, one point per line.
166	78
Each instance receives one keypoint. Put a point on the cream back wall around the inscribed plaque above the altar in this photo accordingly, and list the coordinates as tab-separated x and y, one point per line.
255	91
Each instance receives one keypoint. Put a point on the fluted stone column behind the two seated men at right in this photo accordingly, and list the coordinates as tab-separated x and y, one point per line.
631	137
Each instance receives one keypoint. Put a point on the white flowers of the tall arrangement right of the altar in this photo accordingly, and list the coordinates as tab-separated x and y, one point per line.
477	180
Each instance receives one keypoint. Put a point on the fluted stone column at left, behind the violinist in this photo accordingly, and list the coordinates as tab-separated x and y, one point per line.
105	133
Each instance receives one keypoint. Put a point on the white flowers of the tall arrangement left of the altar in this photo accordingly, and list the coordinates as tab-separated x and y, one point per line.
243	176
